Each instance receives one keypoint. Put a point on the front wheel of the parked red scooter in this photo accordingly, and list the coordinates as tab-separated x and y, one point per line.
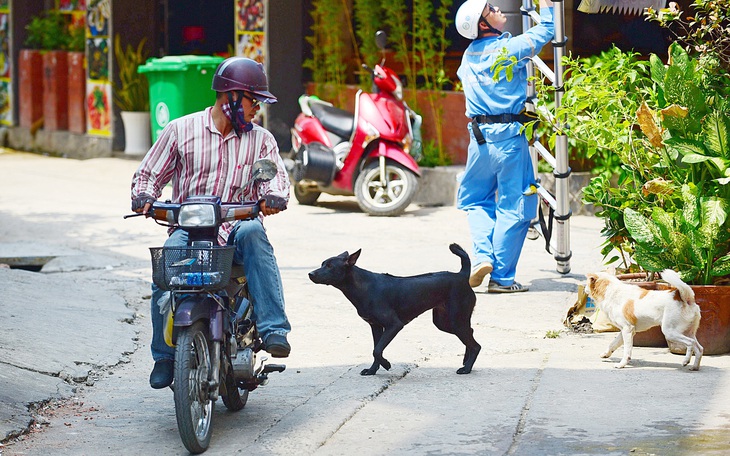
387	194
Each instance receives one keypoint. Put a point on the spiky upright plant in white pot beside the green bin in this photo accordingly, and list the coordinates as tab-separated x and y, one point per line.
132	97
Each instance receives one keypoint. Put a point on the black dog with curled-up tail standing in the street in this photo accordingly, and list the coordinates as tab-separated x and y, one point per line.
388	303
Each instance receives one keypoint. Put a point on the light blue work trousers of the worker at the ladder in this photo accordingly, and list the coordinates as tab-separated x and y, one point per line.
492	192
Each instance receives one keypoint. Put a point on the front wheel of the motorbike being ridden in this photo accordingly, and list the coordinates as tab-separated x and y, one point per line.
193	407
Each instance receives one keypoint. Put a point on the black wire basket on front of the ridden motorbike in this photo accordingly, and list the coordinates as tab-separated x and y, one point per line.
176	268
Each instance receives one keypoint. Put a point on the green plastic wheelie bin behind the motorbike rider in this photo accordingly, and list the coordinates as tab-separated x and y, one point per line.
179	85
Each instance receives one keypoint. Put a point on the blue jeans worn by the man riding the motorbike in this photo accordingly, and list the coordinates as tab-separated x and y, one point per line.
255	253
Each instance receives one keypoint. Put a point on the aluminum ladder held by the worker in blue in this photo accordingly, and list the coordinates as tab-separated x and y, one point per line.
558	240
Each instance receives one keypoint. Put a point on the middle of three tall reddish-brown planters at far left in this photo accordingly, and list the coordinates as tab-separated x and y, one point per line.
55	90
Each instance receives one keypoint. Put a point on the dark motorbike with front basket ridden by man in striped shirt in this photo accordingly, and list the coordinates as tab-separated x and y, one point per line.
210	322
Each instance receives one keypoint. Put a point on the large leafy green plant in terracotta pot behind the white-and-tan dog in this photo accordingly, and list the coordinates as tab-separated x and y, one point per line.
668	206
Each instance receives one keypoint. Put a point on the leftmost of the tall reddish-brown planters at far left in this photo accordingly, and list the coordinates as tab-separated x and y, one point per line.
30	91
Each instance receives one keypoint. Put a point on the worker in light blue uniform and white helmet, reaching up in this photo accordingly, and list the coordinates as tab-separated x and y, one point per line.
497	189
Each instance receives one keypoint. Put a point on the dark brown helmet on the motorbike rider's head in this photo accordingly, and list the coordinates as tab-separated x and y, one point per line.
240	73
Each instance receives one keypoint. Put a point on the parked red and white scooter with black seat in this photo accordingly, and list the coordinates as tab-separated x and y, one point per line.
371	153
